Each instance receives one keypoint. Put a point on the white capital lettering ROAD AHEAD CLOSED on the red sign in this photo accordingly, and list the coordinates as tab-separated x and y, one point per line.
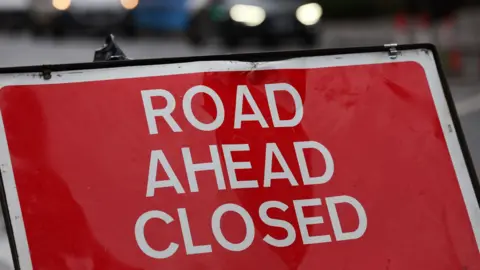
272	151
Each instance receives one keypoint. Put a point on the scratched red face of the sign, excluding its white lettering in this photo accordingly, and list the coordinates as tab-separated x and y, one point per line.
81	151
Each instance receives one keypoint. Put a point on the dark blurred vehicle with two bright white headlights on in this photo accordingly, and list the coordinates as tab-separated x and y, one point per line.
269	20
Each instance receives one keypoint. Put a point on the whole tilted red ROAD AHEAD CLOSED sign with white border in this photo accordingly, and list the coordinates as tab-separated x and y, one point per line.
335	159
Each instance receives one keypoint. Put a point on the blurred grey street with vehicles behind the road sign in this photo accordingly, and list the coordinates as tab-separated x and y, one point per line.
34	32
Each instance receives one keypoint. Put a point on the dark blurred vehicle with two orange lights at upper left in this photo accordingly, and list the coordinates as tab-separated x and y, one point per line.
60	17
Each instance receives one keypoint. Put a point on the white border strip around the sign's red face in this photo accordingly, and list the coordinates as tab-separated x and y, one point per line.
423	57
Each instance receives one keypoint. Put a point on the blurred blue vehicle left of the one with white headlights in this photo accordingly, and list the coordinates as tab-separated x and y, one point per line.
161	15
